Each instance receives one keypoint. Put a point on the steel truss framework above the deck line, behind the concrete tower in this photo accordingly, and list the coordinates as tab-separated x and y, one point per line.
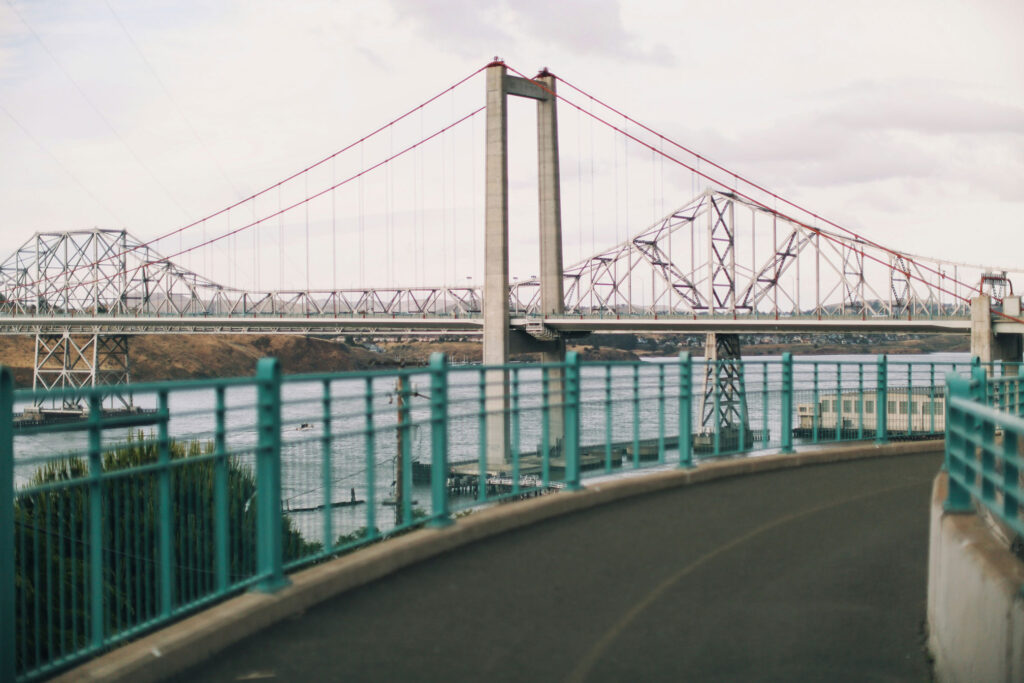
718	255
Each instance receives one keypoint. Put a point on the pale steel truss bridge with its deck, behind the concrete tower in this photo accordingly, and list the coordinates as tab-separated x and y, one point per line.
717	264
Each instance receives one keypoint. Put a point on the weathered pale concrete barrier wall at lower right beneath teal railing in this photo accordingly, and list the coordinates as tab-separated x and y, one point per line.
975	603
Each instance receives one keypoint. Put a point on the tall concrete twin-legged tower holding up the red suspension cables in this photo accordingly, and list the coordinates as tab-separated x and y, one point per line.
496	286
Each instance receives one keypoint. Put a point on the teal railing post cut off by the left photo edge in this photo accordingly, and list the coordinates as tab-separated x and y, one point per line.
8	663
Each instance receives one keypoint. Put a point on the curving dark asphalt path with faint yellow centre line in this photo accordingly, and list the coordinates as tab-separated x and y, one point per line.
813	574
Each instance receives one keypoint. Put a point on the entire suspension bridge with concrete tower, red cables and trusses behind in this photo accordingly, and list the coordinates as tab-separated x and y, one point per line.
376	221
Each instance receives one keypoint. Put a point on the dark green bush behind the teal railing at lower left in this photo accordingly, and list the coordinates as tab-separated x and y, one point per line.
53	545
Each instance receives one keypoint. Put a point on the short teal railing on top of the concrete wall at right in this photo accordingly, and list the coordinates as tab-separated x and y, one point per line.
984	445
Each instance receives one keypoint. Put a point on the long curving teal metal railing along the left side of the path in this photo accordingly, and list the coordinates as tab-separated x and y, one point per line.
118	523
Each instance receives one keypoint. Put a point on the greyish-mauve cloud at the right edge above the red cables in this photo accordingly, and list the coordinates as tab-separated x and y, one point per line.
873	134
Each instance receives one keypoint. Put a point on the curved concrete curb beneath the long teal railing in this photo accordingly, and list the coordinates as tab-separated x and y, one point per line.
193	641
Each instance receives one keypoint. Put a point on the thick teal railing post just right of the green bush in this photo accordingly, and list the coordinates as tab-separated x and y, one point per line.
270	546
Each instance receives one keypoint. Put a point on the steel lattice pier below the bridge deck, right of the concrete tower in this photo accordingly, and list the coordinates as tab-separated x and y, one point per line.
724	421
